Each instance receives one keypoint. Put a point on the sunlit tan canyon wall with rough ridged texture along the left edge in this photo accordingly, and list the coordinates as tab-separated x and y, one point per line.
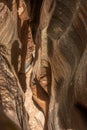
13	115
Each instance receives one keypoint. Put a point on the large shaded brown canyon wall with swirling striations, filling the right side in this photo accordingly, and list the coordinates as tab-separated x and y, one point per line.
61	42
